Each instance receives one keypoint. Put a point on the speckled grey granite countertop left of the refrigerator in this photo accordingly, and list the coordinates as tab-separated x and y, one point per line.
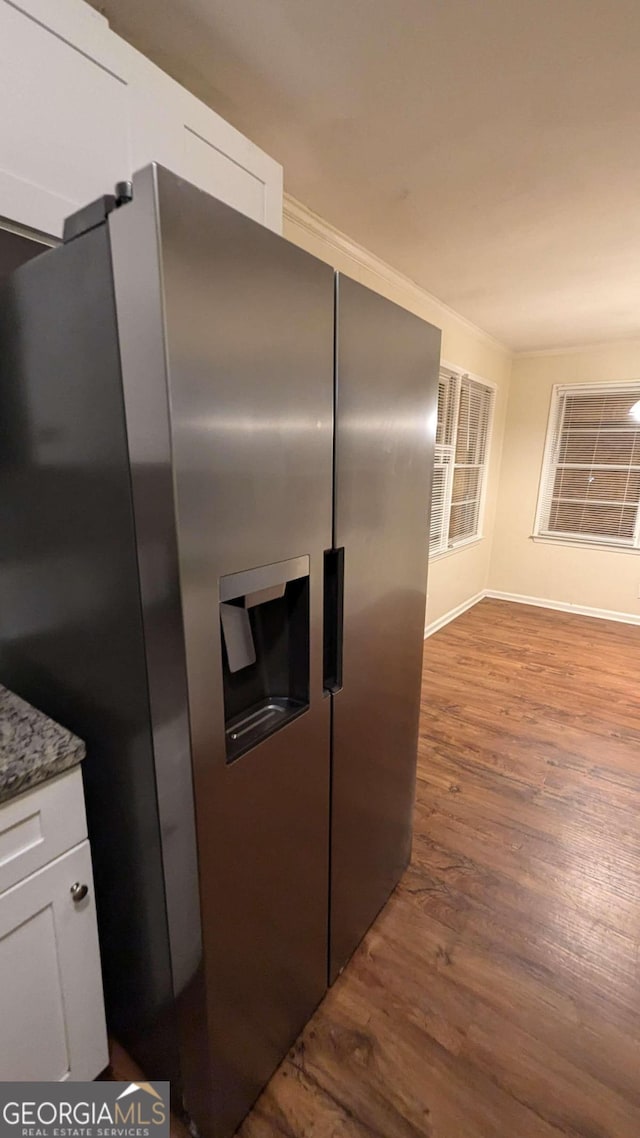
32	747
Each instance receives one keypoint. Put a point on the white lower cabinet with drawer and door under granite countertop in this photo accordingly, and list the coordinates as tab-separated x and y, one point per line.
52	1011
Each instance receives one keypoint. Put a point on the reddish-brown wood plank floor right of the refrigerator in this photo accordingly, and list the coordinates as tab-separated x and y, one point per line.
498	995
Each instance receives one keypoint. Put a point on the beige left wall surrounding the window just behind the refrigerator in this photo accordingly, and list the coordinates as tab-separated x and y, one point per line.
455	578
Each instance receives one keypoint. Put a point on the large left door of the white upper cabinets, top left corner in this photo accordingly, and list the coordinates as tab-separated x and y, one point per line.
64	129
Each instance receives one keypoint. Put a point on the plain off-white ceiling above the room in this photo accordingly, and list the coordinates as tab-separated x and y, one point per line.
490	150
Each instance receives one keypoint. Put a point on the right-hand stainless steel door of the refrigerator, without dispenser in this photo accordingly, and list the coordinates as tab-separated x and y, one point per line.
388	367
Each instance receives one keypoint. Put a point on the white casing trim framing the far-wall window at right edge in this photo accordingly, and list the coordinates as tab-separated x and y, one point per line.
555	538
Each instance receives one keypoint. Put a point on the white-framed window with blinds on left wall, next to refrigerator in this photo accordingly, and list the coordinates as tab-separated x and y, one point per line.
462	452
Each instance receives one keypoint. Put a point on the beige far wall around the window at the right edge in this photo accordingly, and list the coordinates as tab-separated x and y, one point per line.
578	575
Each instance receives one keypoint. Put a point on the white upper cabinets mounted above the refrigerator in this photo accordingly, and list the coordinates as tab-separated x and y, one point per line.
83	110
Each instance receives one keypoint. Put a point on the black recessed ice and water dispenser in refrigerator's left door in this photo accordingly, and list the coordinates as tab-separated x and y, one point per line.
265	631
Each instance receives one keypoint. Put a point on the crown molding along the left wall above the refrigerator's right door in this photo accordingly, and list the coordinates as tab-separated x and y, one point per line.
301	216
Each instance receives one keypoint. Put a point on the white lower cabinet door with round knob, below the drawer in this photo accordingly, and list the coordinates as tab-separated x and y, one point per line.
52	1011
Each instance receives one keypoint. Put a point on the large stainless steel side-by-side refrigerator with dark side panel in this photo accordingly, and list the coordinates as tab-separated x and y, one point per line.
216	489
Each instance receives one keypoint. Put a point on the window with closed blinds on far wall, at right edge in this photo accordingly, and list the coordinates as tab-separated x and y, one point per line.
590	485
